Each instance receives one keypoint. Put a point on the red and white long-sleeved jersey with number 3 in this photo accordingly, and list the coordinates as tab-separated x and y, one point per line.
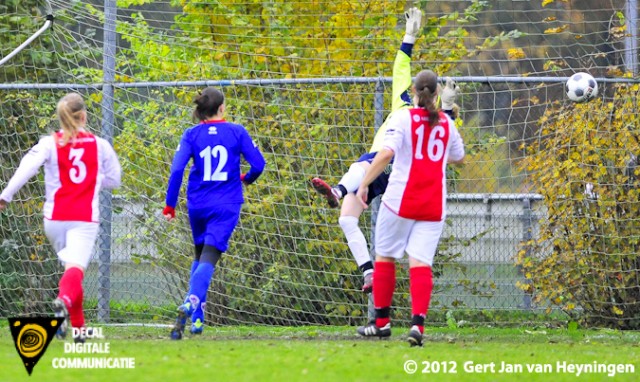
73	174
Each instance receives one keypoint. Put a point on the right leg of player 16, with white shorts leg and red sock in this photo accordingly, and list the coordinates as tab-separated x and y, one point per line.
421	248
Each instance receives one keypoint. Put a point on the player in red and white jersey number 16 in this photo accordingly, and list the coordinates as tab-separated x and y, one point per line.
411	217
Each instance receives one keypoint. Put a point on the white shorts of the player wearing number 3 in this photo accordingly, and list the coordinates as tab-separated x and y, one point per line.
73	241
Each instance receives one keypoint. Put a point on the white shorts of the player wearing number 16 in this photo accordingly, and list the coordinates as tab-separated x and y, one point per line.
396	235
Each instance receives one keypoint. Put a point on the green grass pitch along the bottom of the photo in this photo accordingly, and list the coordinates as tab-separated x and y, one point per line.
333	354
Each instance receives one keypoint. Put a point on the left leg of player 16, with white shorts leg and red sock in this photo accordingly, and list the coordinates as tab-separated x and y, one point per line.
392	232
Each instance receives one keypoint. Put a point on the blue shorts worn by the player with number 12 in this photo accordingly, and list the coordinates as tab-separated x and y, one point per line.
214	225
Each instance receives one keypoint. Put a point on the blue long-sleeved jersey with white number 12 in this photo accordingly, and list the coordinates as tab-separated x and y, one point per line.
215	148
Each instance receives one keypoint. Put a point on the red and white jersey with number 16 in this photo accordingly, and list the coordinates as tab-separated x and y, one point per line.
417	184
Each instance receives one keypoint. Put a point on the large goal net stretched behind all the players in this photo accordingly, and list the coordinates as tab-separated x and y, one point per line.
311	82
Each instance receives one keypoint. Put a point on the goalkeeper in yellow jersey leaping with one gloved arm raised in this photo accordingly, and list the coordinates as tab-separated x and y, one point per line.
349	183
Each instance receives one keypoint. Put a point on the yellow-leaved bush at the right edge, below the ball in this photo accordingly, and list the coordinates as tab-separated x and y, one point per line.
586	259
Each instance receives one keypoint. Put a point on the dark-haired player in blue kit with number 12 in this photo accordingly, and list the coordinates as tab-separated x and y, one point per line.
214	194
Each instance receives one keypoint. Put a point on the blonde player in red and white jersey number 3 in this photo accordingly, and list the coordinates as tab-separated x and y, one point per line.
77	165
